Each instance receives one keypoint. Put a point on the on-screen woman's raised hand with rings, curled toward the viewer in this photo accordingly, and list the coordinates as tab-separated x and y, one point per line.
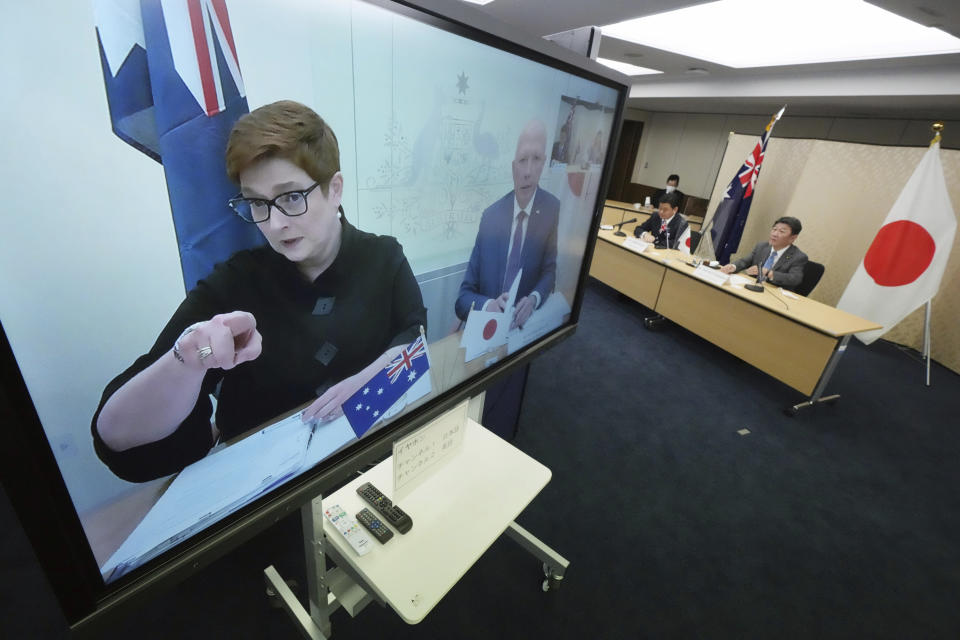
223	342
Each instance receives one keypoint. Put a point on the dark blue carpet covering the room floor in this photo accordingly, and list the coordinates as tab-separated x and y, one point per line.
840	522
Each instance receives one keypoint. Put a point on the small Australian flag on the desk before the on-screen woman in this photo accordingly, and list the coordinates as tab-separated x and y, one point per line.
408	373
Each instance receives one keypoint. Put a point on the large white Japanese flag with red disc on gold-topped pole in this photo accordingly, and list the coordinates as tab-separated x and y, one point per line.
905	262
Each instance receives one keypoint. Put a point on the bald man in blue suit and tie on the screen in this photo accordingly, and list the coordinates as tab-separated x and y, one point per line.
518	231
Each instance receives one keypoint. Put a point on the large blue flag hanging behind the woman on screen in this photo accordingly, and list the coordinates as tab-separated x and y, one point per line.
174	90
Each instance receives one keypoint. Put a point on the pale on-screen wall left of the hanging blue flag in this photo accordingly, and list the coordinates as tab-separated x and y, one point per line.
86	232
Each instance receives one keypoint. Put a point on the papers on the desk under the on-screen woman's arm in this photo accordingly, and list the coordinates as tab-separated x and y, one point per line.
224	481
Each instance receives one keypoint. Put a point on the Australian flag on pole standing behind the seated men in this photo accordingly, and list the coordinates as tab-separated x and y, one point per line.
731	214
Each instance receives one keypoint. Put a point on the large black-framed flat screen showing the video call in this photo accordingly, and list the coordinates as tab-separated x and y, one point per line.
244	240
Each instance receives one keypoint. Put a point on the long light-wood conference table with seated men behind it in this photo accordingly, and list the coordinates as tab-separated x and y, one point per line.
796	340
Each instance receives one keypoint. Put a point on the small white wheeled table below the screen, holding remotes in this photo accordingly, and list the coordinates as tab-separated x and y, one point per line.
458	512
